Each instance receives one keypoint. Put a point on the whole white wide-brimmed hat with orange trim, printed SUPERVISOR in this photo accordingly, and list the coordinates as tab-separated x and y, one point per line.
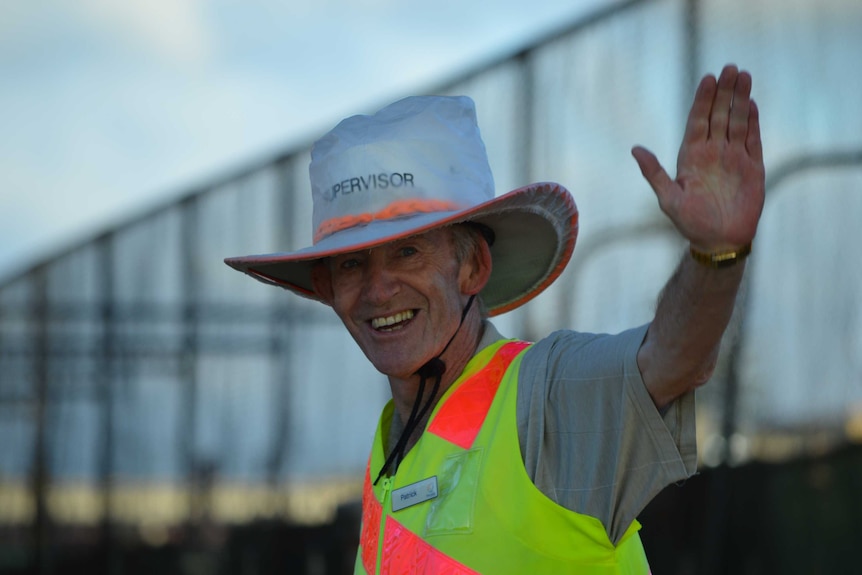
415	166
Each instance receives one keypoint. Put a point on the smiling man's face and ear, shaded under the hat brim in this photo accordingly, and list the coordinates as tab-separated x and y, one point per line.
402	301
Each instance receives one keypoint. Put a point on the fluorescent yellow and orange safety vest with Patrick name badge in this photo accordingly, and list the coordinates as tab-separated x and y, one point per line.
462	503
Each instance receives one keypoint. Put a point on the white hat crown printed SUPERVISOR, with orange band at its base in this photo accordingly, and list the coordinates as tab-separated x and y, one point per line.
422	154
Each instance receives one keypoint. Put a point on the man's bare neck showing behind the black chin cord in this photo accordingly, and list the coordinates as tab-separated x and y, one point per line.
456	357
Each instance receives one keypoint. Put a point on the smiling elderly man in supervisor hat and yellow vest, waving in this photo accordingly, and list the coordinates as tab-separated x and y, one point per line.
496	455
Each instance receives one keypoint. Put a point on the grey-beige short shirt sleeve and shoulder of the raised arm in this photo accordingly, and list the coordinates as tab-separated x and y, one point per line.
591	438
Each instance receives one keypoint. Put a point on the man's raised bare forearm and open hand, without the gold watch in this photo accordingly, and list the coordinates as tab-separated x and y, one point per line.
715	202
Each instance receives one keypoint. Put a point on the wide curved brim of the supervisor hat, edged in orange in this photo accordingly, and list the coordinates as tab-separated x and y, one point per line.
535	227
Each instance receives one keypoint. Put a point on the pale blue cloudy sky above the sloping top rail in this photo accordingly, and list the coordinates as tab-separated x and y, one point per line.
110	108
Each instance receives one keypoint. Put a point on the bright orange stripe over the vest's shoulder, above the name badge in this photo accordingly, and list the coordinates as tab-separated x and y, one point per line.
461	417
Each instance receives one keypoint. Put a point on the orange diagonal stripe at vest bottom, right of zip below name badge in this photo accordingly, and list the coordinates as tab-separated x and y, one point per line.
406	553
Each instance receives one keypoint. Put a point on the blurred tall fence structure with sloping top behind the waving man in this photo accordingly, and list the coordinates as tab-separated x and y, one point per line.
160	412
